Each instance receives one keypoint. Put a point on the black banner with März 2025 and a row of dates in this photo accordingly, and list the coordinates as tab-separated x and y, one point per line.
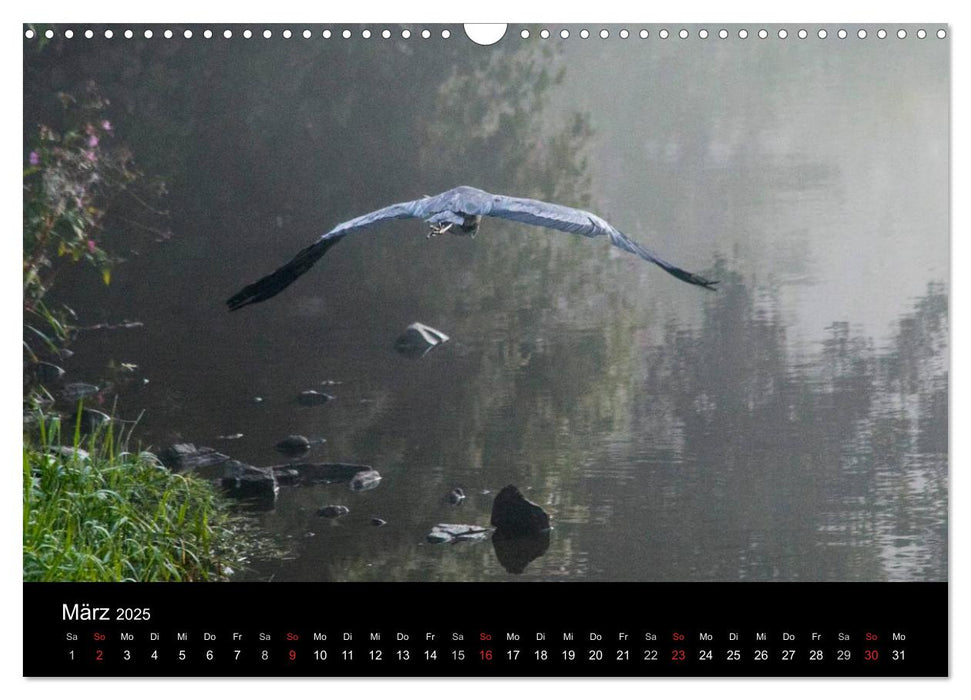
334	629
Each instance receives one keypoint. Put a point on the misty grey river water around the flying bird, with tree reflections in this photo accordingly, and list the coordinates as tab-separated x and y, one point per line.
791	426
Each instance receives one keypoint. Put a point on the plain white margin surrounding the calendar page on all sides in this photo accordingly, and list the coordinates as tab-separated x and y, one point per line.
602	11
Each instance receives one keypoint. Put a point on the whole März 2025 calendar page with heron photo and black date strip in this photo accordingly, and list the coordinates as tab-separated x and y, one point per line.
632	360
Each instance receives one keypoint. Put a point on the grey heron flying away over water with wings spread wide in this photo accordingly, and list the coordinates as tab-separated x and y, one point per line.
458	211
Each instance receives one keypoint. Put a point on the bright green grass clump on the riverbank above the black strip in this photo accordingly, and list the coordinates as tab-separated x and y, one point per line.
114	515
